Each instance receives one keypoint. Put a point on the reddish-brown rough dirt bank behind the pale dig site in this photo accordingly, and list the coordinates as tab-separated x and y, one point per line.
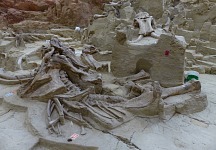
66	12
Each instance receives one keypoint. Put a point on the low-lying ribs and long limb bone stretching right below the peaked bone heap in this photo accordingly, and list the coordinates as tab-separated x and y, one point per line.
106	112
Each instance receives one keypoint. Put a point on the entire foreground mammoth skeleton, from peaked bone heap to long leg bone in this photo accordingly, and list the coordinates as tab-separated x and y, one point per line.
74	92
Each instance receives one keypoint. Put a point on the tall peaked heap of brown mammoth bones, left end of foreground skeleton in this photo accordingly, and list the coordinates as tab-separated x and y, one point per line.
60	72
